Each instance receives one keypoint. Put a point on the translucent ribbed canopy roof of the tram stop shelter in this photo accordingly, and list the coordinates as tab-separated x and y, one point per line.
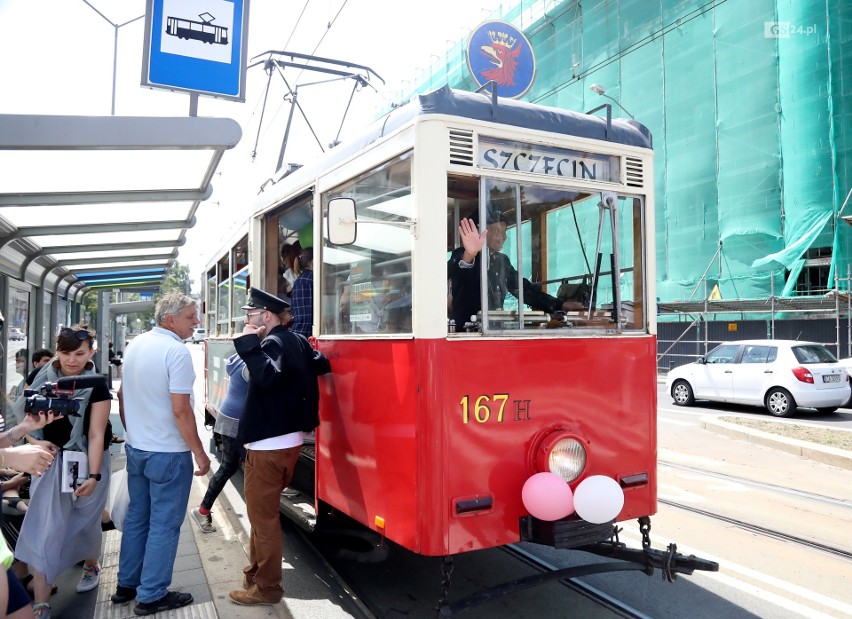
102	202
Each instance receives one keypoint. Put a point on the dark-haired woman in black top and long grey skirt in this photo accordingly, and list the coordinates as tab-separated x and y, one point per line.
70	518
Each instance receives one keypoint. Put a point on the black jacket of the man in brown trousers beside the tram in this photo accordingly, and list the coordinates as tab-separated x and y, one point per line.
283	394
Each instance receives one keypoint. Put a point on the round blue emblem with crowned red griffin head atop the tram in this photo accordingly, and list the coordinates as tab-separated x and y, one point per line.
500	53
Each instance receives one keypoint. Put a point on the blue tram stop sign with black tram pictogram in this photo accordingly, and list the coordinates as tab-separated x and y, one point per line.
196	46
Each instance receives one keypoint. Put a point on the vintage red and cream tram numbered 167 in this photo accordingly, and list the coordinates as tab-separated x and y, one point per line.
434	431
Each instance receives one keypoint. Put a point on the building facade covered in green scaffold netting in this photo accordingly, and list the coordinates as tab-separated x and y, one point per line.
750	106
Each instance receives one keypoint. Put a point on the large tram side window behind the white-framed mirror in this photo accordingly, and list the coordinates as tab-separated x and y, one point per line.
366	287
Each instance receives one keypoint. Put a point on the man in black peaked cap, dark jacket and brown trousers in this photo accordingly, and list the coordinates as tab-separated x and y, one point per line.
281	404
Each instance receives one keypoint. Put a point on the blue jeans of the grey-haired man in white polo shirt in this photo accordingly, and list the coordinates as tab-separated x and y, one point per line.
159	484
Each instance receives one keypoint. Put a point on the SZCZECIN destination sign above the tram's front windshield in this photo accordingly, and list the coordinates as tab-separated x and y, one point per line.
544	161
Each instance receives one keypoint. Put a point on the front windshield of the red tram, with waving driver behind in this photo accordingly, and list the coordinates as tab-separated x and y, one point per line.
552	259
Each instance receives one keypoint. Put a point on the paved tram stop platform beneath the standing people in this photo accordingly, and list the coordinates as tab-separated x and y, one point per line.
208	565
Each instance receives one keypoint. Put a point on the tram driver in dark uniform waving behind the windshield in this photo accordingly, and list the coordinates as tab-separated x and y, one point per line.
463	272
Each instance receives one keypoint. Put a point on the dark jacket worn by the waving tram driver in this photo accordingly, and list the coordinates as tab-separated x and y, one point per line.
502	279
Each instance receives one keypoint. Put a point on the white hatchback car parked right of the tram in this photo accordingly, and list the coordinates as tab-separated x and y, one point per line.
778	374
